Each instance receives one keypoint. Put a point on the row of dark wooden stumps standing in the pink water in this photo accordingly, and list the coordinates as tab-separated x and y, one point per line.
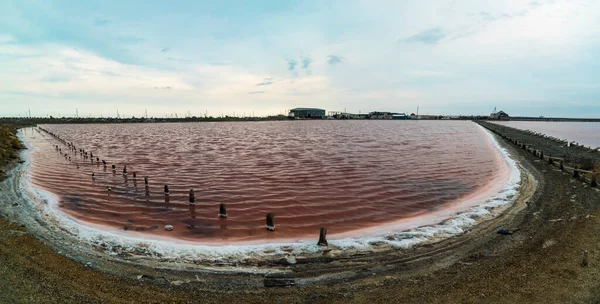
270	217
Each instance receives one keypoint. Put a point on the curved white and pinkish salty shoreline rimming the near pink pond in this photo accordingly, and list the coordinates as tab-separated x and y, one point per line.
433	227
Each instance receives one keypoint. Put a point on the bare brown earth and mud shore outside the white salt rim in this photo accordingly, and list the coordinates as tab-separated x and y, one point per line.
553	226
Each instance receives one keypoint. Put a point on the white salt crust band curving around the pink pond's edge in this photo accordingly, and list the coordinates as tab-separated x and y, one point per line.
456	218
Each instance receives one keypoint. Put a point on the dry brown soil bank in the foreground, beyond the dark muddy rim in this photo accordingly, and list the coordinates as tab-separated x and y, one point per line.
544	260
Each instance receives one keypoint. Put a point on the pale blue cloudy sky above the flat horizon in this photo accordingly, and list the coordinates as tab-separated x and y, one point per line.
220	57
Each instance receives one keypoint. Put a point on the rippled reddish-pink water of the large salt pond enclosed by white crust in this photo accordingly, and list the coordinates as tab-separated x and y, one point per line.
343	175
